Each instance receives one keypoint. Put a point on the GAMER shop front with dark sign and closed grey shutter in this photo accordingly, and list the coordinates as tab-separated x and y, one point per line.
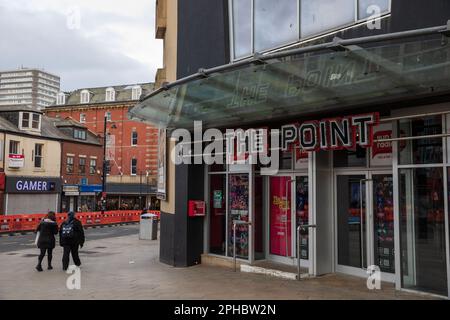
25	195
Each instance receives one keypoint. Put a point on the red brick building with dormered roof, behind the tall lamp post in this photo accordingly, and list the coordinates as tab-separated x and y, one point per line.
132	147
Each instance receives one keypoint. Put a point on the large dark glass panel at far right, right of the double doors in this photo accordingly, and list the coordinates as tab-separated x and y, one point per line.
422	230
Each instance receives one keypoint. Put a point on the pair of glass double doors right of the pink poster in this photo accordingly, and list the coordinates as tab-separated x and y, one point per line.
365	224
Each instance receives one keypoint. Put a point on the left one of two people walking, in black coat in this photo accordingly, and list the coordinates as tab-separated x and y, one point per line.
47	229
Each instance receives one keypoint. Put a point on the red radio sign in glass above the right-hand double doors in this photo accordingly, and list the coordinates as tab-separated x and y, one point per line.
381	151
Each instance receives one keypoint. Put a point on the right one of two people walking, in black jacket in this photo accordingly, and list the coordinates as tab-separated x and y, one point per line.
71	237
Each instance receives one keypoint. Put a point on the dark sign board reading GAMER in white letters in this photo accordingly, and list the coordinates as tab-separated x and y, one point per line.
32	185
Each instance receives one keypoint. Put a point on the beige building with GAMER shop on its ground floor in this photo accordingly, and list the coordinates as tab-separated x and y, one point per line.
31	162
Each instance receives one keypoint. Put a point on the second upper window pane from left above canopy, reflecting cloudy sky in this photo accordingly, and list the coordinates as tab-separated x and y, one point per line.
276	23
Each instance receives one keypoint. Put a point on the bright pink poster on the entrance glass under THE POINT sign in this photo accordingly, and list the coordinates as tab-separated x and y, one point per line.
280	216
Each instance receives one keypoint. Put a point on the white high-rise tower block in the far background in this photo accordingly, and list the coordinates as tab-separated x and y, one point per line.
28	87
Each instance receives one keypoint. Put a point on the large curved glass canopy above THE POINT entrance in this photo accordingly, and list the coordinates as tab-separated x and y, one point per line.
304	81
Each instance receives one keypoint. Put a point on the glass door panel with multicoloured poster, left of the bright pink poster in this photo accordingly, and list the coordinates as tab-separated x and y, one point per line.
239	191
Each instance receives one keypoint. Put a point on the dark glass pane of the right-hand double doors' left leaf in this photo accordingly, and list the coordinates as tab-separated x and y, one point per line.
351	230
